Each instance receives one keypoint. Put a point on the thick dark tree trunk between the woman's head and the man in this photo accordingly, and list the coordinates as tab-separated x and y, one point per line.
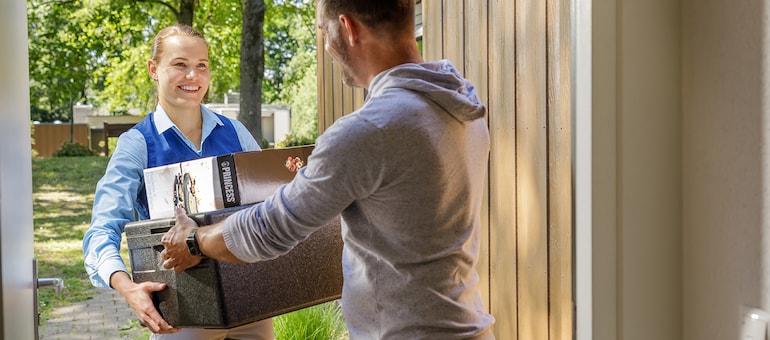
252	66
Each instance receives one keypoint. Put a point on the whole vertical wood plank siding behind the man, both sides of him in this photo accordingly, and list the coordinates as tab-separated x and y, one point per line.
517	53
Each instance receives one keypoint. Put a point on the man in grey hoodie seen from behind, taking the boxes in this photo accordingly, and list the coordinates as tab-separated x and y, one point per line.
406	173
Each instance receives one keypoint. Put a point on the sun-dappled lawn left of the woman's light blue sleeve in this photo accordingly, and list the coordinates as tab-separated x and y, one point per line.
62	195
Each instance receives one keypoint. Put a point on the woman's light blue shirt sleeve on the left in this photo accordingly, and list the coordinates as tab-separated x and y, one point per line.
114	201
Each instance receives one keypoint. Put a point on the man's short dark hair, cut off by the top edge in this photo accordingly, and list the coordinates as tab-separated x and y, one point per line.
376	14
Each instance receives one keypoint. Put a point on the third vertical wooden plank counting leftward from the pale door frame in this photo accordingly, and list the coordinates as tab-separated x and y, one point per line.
502	169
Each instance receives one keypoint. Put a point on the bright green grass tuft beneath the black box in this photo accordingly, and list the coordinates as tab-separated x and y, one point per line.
320	322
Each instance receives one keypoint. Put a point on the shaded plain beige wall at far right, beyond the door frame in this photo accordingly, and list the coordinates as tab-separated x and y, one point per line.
726	247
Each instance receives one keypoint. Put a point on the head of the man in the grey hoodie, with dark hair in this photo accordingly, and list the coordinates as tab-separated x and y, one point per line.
365	37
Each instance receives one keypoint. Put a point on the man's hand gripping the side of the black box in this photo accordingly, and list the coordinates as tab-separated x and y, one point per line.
176	255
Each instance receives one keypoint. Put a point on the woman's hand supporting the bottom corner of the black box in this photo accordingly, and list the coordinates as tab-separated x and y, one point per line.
139	297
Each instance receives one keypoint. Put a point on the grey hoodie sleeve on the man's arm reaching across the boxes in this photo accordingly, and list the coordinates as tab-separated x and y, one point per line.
345	165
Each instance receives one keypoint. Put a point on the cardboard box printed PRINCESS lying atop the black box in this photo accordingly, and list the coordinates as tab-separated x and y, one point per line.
214	183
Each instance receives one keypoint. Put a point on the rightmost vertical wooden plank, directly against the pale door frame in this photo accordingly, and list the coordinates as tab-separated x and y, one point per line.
560	280
